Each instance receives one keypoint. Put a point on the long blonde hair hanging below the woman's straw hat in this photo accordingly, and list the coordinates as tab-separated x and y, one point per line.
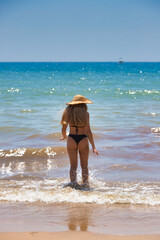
75	115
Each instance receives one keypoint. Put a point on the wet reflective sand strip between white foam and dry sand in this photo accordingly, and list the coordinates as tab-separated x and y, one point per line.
110	220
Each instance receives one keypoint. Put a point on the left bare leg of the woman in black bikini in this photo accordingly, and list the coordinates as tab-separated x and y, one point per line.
73	156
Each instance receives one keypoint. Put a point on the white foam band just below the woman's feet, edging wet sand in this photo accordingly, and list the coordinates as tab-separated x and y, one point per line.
110	196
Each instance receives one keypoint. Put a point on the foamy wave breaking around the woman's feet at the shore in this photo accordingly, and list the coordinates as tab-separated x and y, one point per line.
52	191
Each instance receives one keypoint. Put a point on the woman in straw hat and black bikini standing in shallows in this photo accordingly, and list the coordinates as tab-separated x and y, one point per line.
77	117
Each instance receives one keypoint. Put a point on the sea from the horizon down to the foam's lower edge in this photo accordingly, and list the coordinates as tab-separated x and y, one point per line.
125	120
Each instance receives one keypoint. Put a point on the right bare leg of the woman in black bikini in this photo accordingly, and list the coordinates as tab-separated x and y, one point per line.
84	153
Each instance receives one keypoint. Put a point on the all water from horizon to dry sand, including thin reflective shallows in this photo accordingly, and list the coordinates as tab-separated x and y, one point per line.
124	193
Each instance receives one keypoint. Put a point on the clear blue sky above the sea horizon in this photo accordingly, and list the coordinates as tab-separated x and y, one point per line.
79	30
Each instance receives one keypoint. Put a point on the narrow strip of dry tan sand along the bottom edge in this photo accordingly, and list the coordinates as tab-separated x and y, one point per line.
69	235
